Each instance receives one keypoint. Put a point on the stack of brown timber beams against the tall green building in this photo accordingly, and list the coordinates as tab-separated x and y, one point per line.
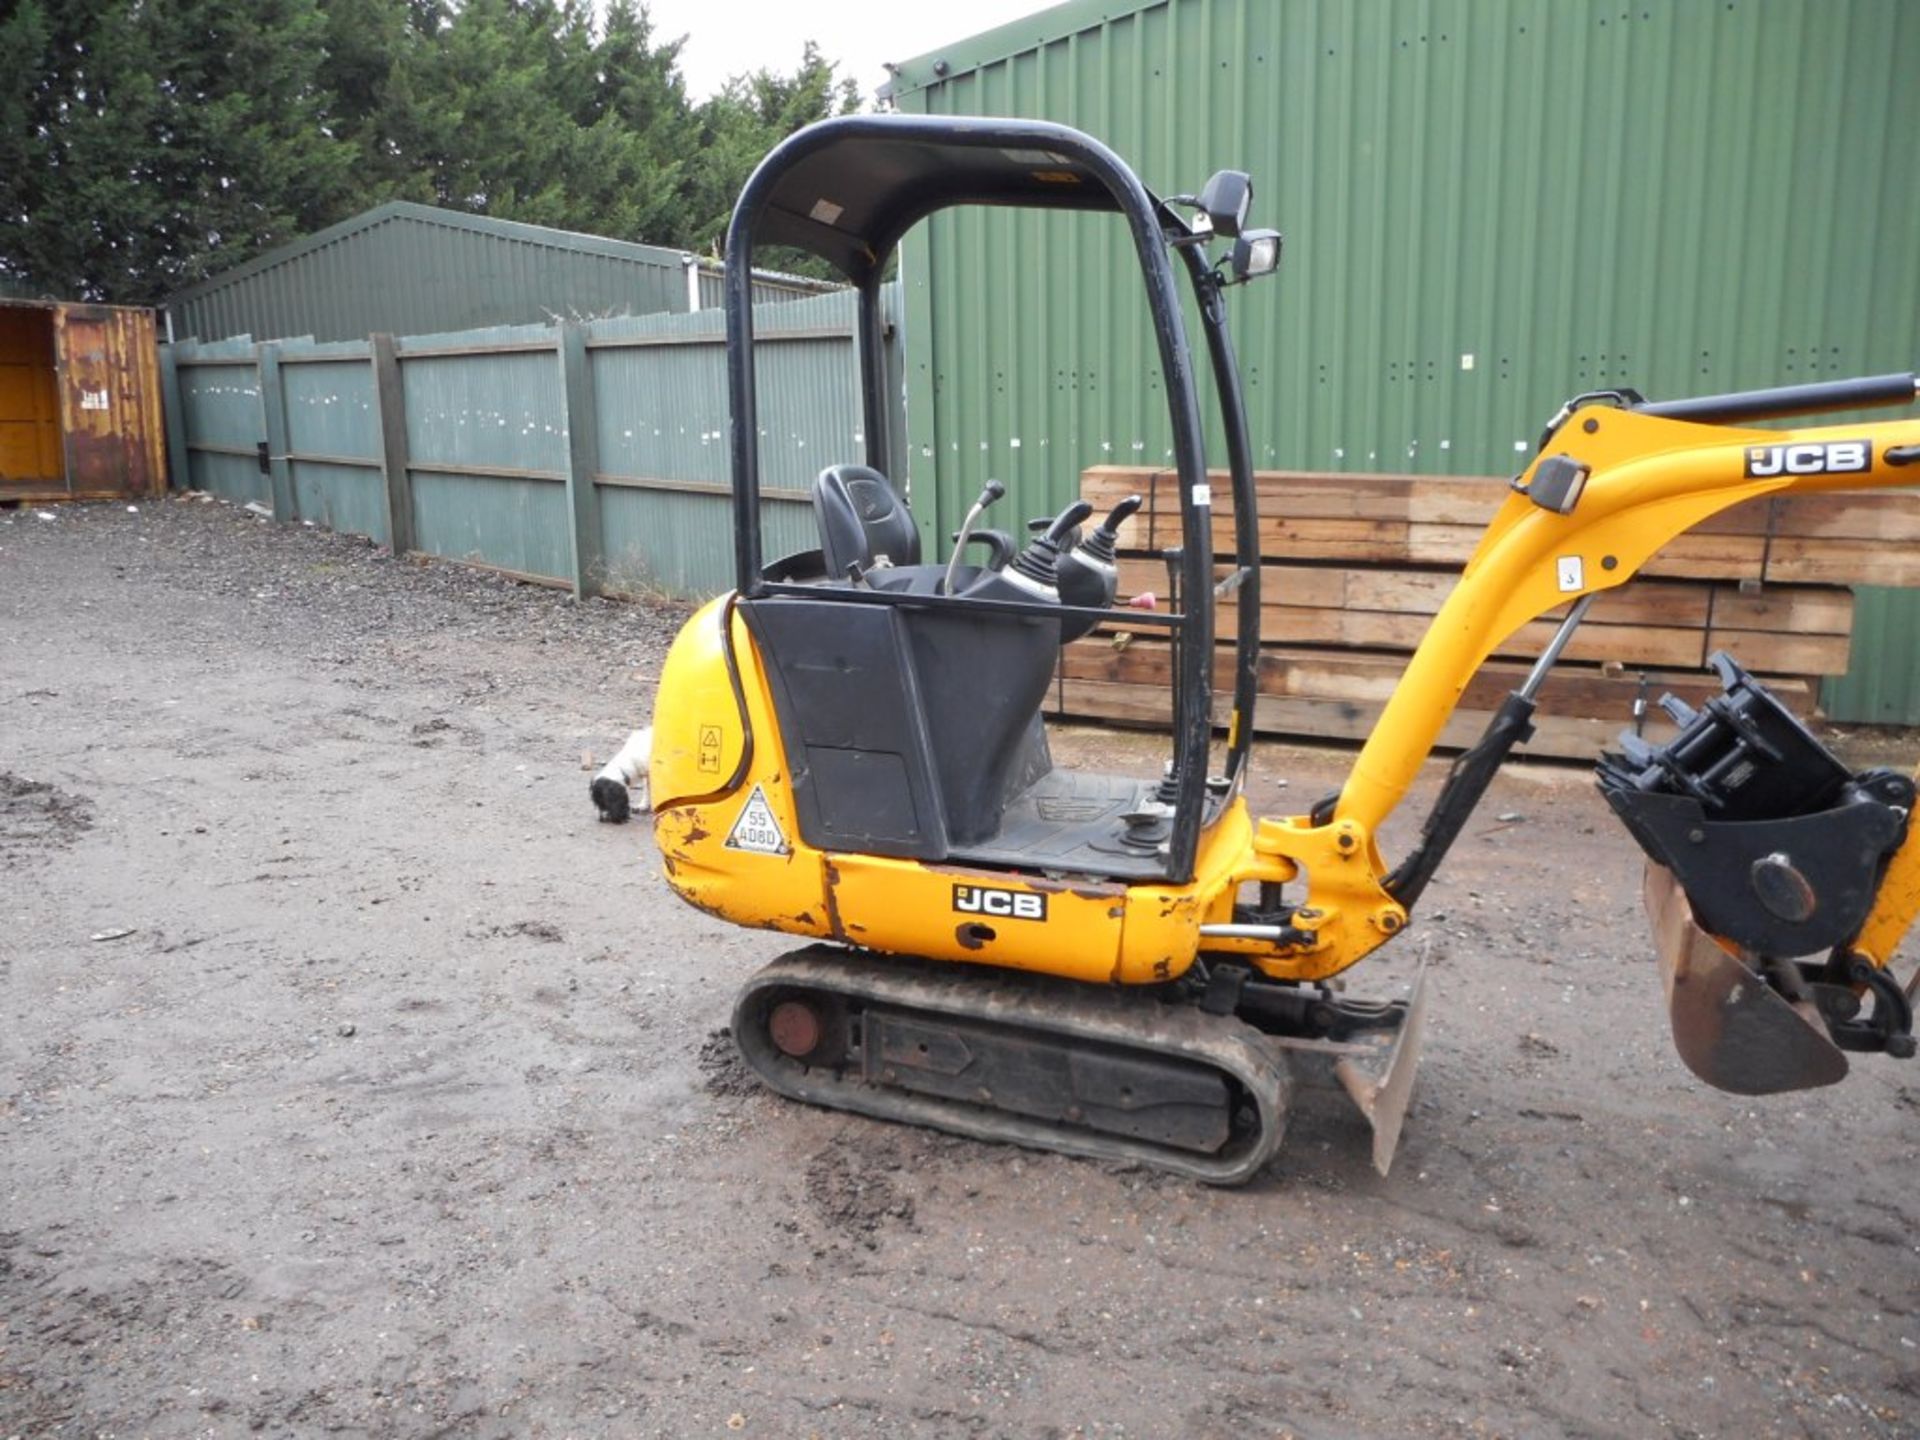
1356	565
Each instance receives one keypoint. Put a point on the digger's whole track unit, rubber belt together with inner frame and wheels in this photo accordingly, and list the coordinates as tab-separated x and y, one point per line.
1107	1074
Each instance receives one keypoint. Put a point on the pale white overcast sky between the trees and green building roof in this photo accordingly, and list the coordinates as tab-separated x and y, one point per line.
729	37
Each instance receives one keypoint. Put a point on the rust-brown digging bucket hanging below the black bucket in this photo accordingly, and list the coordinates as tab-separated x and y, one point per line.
1731	1026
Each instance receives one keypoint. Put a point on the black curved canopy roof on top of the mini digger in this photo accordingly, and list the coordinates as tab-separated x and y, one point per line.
850	189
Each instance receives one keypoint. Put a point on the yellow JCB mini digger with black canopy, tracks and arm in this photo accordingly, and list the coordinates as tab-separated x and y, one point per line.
848	748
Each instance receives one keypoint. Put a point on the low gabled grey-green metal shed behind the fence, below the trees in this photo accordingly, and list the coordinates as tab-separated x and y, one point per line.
420	270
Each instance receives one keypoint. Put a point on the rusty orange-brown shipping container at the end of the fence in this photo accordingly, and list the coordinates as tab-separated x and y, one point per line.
80	402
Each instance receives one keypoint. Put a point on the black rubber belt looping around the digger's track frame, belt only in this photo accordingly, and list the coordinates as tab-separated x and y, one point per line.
1116	1017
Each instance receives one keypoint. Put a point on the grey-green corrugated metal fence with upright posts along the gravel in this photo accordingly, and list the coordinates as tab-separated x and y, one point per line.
494	473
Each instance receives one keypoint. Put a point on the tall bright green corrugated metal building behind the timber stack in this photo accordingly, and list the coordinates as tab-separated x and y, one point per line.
1489	206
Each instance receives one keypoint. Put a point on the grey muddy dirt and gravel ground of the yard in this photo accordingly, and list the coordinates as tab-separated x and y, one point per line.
354	1082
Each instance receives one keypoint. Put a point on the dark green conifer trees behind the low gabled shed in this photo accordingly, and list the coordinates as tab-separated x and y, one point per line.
147	145
